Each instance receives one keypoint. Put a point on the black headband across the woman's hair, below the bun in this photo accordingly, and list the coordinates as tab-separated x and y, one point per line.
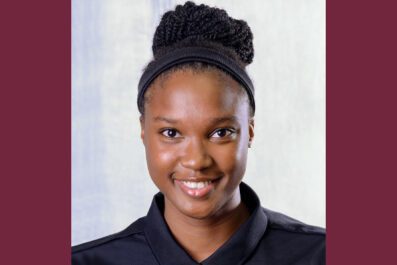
194	54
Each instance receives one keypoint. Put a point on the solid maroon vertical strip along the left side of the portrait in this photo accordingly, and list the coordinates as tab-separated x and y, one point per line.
35	132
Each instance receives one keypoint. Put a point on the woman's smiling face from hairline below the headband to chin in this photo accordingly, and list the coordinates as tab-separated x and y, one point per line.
196	130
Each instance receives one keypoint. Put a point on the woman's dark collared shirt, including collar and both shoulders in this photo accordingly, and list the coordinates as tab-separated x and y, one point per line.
266	237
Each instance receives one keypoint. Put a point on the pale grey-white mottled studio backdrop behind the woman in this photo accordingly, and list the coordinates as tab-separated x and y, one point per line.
111	43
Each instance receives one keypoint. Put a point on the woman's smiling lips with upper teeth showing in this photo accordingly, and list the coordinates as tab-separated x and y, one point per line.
197	188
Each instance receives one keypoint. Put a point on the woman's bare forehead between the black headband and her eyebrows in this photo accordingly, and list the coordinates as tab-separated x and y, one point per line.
188	93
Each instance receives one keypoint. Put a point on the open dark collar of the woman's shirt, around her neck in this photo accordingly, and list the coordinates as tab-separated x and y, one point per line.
235	251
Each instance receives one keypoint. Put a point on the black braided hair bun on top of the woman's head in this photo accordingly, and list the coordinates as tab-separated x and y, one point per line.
191	23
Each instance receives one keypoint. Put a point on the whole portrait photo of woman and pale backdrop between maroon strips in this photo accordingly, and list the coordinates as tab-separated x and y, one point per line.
205	116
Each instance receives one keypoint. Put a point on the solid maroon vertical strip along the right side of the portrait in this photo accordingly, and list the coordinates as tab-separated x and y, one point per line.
361	132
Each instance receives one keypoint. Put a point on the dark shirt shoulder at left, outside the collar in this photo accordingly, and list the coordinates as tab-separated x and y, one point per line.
123	245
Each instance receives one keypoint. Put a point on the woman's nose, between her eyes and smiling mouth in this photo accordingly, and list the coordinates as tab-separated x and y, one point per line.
196	156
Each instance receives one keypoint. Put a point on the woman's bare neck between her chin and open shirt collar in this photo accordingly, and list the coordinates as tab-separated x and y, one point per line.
201	237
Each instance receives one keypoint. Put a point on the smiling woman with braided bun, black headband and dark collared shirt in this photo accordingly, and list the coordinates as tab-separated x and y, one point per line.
197	107
